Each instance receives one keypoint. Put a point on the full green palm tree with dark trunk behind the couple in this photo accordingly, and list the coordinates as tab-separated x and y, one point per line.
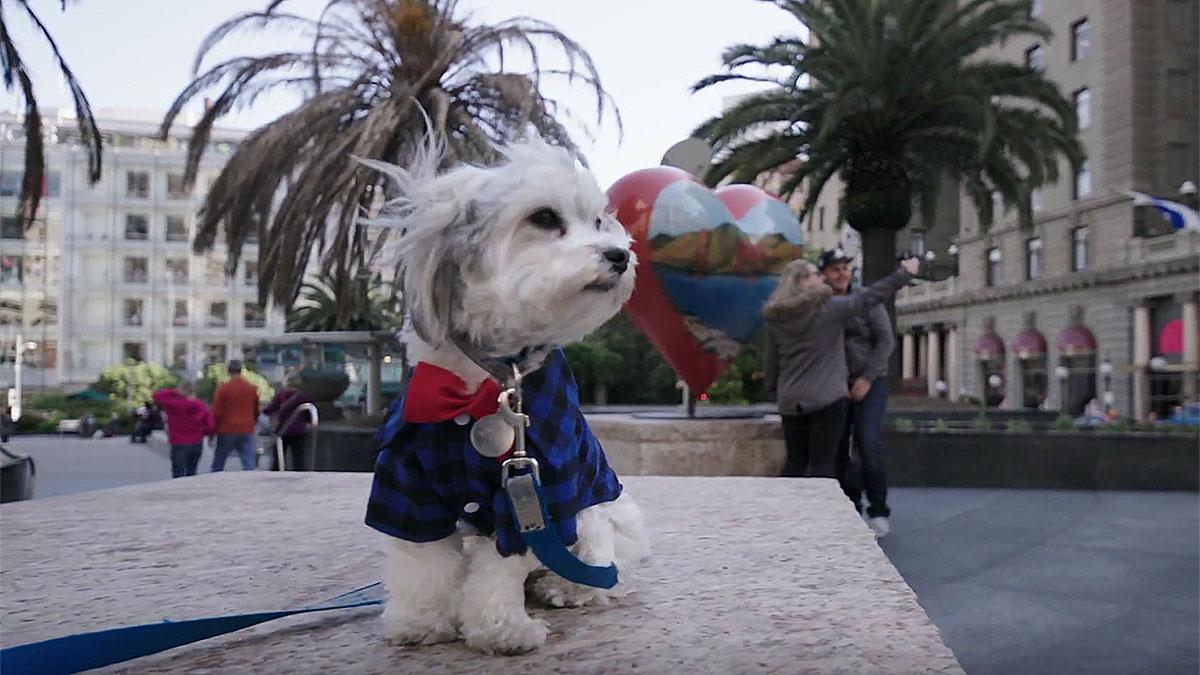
893	97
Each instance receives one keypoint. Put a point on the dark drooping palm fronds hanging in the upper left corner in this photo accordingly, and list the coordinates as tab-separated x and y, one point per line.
16	76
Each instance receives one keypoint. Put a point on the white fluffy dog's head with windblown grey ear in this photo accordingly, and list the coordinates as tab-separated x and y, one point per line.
512	256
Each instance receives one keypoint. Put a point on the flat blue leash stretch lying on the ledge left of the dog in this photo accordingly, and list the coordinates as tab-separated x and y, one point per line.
85	652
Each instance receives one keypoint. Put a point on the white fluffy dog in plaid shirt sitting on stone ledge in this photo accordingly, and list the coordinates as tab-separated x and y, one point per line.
511	260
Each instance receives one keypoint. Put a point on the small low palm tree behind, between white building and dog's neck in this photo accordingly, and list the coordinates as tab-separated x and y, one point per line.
371	307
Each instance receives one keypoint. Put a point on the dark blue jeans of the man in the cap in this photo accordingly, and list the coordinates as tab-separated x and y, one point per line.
865	423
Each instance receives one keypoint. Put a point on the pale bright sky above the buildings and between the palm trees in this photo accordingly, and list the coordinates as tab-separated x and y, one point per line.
139	55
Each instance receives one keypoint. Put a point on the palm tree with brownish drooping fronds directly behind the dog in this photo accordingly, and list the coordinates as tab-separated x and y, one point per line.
376	76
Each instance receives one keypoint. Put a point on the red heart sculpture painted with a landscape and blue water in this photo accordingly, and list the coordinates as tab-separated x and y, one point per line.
707	262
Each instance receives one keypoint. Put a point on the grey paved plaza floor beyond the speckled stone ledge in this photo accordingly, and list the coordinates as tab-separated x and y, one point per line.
1017	581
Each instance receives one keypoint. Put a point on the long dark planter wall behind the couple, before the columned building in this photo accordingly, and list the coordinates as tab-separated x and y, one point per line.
1048	461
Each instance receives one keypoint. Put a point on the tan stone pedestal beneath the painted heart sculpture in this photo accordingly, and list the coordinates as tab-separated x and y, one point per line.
692	447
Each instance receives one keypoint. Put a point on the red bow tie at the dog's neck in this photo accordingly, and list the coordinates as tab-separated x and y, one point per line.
435	395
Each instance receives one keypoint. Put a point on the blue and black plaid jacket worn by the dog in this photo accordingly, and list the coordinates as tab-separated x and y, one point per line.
428	475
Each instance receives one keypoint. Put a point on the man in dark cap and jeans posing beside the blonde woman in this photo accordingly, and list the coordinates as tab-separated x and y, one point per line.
869	344
